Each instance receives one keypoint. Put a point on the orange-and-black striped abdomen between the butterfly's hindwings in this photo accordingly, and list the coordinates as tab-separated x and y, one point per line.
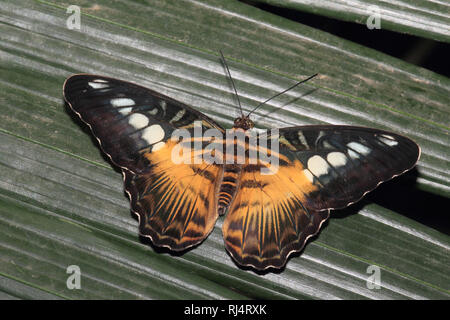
229	186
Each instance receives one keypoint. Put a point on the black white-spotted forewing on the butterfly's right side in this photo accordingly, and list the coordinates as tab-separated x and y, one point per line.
346	162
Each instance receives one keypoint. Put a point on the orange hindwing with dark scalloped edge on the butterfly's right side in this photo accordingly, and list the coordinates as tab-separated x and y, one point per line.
267	220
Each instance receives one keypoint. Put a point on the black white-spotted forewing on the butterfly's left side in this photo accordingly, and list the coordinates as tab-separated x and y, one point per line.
128	119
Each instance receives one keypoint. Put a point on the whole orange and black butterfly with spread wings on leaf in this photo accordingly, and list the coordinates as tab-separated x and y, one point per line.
268	216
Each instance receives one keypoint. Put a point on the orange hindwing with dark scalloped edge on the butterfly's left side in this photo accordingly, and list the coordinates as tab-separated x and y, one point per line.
176	203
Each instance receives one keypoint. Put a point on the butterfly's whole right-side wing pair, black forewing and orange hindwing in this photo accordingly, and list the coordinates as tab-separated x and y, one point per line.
319	168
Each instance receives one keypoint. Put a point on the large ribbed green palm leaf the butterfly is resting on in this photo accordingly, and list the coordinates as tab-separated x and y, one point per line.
62	204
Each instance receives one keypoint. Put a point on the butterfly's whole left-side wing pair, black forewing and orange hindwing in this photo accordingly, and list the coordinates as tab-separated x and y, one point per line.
176	203
